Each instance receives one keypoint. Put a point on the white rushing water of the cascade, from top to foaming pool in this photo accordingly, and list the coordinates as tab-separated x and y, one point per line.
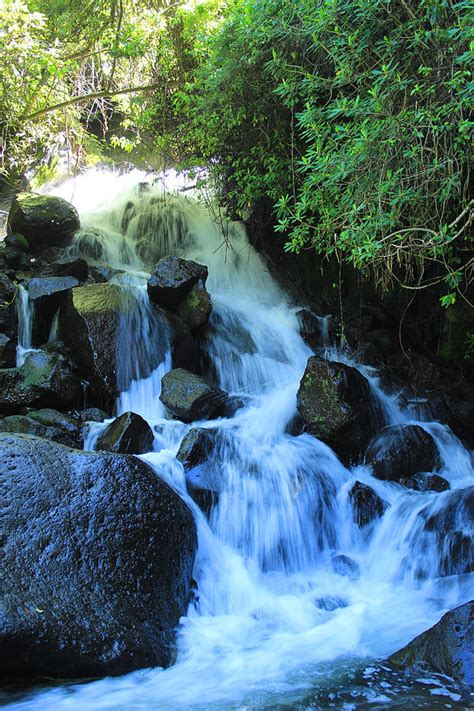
274	619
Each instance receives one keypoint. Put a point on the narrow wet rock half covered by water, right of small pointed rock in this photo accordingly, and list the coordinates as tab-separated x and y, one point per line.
202	471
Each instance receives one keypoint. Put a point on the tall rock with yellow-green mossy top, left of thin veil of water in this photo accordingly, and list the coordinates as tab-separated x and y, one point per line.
90	325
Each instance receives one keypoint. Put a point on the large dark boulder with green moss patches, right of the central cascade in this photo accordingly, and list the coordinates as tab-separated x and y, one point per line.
334	403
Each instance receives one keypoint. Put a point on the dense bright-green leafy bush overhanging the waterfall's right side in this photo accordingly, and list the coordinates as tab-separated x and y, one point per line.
352	117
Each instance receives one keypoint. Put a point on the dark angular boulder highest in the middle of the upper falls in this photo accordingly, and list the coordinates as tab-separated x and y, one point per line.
172	279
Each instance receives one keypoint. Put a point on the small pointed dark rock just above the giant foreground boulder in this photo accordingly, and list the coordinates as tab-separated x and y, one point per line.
127	434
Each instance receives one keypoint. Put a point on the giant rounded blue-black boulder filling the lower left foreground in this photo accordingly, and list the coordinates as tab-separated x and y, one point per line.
97	561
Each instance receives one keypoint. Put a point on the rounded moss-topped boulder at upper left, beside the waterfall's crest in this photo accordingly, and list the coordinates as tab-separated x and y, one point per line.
43	219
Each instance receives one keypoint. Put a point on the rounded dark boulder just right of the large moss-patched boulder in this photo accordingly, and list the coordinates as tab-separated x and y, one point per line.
402	451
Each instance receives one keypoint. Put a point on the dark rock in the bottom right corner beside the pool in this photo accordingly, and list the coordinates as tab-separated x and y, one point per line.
447	648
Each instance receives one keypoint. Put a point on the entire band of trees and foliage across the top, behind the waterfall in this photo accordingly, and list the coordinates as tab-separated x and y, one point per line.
340	130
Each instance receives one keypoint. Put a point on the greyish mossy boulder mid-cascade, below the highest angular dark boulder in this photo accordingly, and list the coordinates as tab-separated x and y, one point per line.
189	397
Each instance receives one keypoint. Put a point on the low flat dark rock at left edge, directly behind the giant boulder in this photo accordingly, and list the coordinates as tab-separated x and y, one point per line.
46	423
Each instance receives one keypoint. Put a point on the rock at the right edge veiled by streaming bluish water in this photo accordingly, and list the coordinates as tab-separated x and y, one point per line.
451	522
